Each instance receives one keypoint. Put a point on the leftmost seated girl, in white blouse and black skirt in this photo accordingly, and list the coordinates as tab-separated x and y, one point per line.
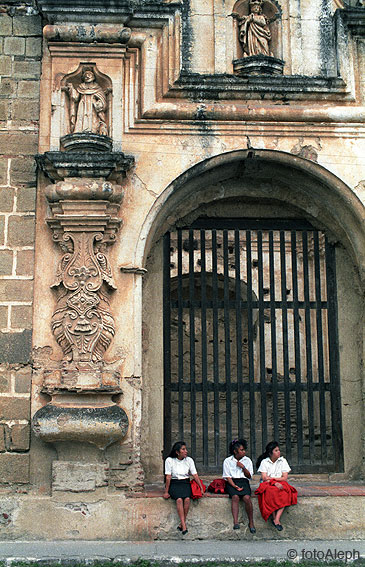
178	468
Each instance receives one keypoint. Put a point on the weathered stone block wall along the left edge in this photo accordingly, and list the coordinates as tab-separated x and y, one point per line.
20	45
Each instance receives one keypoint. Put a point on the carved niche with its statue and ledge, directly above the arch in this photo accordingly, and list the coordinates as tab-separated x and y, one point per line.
257	37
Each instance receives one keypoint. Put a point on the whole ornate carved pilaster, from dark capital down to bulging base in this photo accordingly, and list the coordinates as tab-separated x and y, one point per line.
82	418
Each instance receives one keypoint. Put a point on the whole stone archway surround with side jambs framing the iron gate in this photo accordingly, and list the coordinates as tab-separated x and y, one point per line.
286	183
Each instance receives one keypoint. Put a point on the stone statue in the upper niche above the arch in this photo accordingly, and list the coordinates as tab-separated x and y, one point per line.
254	31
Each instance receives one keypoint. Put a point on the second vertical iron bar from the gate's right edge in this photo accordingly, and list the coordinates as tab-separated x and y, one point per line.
322	401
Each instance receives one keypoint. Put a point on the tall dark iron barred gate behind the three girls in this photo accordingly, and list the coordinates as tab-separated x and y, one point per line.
250	341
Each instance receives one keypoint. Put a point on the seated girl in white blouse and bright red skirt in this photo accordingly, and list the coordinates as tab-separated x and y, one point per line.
274	493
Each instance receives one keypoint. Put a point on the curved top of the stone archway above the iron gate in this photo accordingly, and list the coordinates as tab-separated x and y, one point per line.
263	174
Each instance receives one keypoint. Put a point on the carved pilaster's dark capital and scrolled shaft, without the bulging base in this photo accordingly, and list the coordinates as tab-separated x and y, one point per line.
84	207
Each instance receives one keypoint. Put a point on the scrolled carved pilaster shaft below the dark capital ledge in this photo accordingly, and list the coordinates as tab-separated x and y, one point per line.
82	323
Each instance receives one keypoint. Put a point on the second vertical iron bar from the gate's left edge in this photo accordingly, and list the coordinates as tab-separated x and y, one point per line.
180	335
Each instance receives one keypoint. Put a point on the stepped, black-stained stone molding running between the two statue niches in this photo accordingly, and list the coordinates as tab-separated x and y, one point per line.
174	81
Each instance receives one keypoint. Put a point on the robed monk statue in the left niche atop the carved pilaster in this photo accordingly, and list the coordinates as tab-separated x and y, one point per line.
88	105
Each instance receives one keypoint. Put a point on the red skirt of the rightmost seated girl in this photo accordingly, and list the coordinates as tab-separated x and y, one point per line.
271	498
